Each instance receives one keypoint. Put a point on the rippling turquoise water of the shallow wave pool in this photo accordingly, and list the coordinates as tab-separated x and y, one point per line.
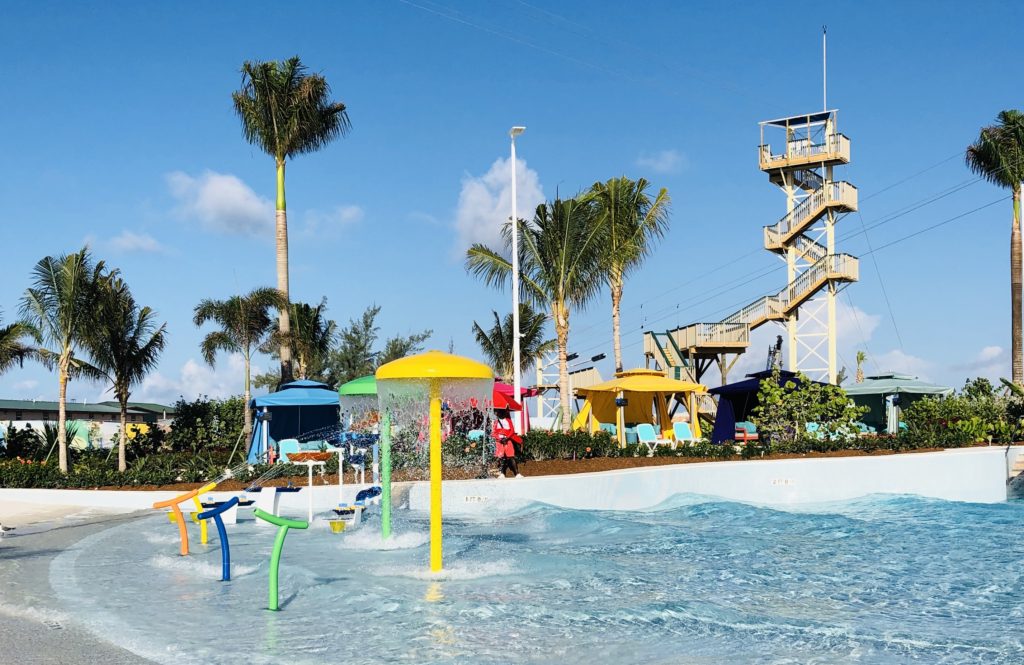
877	580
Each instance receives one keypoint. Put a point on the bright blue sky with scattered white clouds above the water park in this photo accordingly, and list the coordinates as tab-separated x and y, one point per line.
120	133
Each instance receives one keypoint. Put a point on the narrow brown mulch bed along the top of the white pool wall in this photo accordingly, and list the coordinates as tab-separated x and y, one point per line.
542	468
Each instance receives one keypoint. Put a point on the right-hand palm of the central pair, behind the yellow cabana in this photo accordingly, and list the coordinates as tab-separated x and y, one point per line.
633	222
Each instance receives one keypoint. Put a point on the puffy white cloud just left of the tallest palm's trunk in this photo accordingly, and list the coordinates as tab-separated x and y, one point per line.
222	202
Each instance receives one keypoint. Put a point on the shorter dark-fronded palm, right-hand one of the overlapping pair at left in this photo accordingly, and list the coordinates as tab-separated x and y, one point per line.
125	346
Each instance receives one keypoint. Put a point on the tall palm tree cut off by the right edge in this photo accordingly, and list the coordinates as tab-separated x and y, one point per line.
998	156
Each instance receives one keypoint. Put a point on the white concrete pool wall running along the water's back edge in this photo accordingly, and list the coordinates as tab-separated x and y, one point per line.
976	475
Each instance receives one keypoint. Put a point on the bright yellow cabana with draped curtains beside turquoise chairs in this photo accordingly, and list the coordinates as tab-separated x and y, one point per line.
645	393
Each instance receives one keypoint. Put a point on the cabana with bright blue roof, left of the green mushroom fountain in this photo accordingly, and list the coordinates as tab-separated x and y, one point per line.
298	408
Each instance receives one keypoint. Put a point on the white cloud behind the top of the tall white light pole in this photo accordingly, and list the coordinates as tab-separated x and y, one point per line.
486	203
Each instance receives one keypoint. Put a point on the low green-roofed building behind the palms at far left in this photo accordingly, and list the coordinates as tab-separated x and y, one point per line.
96	425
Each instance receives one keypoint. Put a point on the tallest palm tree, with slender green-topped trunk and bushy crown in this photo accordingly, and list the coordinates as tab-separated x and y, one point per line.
287	112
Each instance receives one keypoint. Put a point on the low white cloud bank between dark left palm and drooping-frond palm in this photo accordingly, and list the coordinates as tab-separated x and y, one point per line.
196	379
